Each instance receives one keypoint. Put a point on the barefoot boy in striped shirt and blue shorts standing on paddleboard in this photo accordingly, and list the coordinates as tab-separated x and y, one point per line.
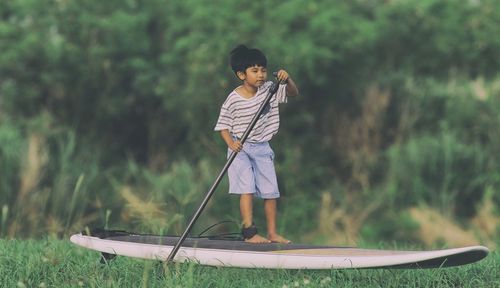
252	171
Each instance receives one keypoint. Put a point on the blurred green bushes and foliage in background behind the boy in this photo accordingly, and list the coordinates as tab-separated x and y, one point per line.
399	99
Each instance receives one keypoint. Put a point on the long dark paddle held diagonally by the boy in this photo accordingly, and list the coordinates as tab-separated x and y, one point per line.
272	90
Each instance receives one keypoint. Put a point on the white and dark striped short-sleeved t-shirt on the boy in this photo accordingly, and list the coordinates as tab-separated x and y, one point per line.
237	112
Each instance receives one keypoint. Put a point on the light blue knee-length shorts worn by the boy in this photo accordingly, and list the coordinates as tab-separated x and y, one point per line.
252	171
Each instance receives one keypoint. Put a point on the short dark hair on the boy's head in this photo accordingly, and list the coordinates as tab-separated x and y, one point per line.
242	57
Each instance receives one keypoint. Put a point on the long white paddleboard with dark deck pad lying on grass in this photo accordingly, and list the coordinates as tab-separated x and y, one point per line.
237	253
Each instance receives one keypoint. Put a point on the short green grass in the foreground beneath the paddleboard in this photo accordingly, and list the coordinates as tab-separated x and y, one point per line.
58	263
